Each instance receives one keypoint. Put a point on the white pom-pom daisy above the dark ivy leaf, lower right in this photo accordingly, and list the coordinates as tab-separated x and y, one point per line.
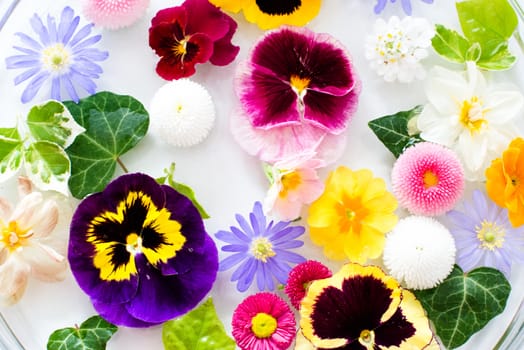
419	251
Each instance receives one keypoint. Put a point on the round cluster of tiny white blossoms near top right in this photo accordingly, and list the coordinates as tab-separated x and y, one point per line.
396	48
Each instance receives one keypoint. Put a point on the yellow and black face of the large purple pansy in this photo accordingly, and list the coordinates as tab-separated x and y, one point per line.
137	226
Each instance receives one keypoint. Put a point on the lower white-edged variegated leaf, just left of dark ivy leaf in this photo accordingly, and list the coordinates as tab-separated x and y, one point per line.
47	165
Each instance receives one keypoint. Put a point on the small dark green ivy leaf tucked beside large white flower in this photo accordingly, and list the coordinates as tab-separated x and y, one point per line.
393	130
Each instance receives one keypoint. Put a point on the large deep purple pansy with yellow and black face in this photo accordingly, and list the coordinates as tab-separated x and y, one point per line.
141	252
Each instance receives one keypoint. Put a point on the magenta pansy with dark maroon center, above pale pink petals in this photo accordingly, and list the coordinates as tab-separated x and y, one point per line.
294	76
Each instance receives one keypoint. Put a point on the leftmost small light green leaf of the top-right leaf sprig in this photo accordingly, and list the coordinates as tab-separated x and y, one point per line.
450	44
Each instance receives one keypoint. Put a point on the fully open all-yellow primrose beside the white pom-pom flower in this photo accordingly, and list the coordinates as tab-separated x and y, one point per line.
352	215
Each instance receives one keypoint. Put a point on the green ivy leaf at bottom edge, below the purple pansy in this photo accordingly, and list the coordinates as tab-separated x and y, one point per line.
93	334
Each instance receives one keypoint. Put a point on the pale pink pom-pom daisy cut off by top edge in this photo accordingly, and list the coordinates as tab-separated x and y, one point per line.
114	14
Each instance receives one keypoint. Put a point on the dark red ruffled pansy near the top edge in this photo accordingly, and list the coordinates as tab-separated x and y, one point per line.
194	32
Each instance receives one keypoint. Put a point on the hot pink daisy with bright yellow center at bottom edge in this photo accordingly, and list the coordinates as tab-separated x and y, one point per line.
263	321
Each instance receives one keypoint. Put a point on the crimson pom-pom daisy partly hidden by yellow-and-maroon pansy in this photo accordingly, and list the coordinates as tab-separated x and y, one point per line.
301	276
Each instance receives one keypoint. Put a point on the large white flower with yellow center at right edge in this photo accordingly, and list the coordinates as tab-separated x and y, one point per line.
467	115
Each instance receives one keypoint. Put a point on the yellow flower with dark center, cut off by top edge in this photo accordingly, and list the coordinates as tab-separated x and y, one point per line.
272	14
